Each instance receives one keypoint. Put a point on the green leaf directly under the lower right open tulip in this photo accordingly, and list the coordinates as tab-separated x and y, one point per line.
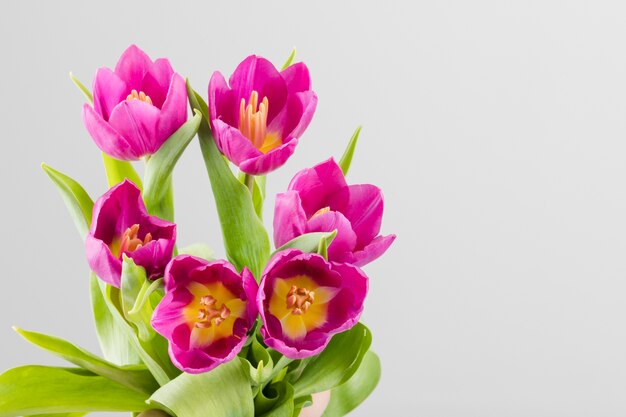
337	363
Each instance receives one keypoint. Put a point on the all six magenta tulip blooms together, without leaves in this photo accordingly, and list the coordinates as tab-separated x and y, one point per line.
210	307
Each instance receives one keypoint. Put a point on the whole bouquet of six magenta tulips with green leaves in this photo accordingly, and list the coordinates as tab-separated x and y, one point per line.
267	332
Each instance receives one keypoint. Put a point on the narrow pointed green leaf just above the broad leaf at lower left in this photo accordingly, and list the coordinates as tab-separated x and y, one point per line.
135	377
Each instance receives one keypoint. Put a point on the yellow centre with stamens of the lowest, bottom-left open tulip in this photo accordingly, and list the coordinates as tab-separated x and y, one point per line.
212	313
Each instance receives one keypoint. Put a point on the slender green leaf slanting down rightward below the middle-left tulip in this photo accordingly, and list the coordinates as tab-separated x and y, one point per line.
153	353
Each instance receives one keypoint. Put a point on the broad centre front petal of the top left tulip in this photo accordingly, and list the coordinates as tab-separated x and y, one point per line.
137	122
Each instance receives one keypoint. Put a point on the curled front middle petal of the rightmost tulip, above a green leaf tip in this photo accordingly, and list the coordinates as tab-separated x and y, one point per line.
346	239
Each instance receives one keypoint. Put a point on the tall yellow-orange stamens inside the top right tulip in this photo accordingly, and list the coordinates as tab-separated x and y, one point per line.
253	123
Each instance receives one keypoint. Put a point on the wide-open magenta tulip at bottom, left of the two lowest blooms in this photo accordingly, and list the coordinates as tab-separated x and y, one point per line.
206	313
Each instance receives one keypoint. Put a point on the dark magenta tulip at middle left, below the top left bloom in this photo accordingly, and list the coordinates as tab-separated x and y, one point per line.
121	226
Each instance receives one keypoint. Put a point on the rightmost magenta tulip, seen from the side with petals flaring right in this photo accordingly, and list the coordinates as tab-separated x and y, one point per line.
319	200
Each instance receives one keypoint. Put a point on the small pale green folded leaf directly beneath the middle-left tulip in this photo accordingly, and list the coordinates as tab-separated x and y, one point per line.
134	283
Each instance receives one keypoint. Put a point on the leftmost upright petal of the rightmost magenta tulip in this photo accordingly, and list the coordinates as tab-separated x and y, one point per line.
289	218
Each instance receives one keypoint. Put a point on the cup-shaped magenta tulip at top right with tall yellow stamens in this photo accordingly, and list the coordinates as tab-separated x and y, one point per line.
259	115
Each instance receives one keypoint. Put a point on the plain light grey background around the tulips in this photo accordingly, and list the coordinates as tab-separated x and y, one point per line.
495	128
